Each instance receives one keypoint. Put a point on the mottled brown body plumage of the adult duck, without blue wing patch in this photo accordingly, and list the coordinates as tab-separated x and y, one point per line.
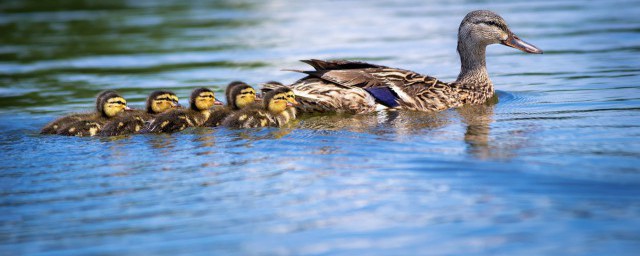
335	86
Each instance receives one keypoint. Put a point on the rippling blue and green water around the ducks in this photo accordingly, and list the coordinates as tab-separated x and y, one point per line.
552	168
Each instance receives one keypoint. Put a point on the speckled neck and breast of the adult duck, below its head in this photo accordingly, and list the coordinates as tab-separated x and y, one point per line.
473	77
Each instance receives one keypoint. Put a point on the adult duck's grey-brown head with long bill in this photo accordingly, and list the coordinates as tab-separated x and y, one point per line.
481	28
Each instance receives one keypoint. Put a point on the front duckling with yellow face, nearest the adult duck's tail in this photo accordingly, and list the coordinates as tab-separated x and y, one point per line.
273	112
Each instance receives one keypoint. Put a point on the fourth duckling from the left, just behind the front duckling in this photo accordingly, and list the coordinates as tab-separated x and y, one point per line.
239	95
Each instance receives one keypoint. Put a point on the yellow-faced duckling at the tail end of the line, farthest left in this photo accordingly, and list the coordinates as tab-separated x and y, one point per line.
109	105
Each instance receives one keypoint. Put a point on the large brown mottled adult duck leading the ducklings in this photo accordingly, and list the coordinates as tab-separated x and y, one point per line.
359	87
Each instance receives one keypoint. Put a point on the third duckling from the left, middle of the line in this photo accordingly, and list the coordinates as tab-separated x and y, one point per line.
200	102
